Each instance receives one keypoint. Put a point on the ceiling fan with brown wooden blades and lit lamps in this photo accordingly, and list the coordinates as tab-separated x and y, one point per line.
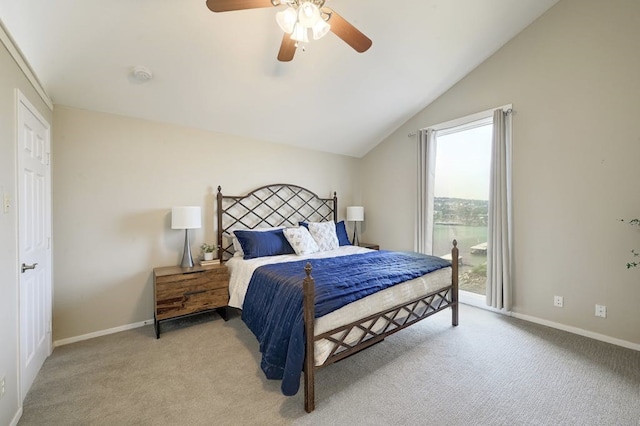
300	18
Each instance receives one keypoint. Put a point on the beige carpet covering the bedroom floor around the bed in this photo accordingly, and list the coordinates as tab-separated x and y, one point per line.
491	370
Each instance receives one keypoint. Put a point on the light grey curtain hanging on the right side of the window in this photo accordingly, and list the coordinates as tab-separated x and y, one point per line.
499	247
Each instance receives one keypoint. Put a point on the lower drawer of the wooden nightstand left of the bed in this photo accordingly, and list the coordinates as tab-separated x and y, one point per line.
195	299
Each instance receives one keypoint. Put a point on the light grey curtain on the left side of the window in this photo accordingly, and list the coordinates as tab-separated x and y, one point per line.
426	179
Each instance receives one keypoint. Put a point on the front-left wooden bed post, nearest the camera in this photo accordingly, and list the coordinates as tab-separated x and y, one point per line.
308	307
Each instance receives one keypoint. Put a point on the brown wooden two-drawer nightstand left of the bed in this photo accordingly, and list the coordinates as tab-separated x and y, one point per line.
179	292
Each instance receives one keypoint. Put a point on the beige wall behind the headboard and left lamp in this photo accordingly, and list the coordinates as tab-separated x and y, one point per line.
115	180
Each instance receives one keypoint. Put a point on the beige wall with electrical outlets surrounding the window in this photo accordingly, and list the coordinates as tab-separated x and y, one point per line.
573	79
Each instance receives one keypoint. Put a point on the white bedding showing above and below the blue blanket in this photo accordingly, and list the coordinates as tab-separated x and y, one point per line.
241	271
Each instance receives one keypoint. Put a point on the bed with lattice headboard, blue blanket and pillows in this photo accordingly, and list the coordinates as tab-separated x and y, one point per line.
310	306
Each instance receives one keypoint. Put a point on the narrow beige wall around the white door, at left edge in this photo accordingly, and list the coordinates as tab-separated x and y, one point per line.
11	78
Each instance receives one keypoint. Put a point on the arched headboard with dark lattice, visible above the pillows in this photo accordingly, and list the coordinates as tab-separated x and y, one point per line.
268	206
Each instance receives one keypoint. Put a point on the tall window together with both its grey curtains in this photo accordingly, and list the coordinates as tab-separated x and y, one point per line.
458	162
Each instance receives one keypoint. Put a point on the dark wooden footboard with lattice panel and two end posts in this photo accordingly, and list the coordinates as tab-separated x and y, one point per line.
394	319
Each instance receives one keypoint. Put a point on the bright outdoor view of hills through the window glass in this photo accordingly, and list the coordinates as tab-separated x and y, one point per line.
461	205
